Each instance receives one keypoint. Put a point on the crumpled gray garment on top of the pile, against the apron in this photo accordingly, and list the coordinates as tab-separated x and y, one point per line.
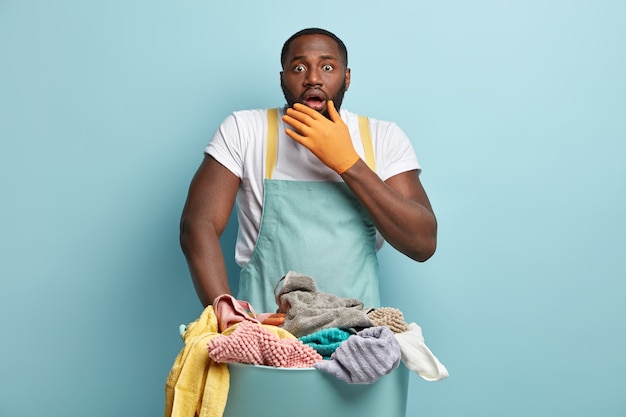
308	310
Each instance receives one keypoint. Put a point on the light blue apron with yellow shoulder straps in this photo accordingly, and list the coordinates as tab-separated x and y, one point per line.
314	228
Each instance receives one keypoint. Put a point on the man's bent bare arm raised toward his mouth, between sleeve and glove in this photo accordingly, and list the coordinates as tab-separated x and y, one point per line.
399	207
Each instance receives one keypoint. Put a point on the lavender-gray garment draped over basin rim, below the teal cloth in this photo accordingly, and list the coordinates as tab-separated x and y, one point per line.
364	357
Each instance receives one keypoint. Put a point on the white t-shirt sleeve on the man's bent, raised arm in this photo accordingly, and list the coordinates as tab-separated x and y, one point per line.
395	151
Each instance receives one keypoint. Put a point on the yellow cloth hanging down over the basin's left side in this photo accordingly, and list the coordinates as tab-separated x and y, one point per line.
196	385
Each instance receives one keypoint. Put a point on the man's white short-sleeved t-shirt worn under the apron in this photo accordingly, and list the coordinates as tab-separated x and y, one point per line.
240	144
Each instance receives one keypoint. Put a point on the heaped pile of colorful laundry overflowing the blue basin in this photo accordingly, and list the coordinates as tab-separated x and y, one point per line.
309	329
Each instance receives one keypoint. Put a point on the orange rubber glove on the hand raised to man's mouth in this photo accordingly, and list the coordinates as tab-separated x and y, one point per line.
329	140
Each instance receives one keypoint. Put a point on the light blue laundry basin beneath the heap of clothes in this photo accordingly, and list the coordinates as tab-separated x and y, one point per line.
266	391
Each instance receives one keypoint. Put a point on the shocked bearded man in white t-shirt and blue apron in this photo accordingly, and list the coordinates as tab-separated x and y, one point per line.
317	188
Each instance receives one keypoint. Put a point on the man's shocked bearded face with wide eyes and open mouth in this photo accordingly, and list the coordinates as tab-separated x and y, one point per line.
314	73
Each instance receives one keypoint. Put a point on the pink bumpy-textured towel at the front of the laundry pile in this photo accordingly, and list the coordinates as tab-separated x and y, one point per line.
251	343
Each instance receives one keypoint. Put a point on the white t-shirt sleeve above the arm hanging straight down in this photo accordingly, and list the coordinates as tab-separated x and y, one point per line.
226	146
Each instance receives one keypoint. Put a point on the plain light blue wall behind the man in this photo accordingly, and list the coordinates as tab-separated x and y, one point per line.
517	112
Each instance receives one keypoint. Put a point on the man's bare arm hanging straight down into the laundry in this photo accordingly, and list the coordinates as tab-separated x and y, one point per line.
208	207
